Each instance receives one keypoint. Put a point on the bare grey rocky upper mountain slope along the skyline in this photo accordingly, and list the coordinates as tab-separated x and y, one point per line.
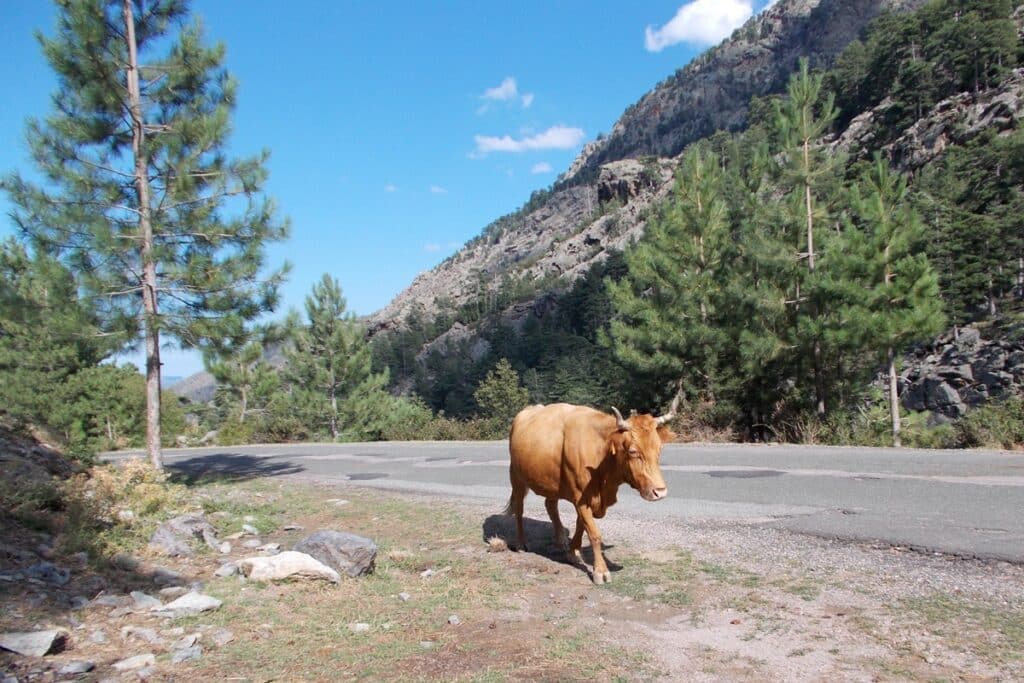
603	201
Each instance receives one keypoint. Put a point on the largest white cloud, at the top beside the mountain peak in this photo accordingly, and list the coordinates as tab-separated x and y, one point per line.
701	22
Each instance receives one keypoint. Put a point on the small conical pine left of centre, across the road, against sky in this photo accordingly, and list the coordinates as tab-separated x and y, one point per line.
330	369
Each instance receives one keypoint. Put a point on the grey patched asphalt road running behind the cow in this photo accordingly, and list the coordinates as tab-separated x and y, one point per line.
966	503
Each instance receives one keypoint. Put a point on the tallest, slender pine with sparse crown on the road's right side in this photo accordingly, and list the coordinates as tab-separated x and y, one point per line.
801	120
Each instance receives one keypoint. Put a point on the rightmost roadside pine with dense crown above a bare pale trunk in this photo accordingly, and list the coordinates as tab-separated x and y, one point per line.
897	298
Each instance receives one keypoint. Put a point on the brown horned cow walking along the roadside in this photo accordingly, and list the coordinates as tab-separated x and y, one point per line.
580	455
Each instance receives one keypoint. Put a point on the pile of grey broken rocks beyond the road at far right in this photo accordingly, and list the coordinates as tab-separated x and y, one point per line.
960	374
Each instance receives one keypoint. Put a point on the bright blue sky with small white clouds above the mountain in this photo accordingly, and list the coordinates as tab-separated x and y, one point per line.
399	131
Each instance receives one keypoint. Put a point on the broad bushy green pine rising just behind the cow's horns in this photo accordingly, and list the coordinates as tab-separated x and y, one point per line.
670	306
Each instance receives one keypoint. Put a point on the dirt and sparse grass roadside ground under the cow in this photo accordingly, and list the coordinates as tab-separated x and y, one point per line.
689	602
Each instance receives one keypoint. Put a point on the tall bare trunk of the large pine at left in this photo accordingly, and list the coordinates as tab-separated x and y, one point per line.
149	264
